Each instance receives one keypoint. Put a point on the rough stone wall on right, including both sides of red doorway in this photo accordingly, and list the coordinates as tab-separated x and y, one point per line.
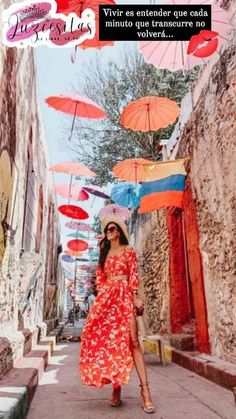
208	136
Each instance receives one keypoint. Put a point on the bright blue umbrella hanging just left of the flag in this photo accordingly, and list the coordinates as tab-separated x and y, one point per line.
126	194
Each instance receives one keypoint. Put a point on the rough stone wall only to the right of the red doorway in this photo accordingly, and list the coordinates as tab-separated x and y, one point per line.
209	138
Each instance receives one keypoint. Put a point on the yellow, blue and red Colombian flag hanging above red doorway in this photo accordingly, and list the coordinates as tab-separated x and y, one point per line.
163	186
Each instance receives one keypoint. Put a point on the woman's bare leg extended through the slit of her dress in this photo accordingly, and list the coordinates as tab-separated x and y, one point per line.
139	361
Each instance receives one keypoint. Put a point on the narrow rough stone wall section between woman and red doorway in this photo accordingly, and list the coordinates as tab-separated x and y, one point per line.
149	238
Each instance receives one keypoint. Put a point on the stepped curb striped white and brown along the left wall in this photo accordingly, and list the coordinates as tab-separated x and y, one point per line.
18	386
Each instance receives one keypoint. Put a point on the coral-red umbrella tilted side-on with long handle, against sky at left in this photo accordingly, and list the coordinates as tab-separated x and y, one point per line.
77	106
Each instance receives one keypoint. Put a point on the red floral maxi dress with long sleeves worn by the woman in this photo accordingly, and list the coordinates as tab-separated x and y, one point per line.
105	355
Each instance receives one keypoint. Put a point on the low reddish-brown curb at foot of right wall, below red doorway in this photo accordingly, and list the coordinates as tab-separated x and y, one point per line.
214	369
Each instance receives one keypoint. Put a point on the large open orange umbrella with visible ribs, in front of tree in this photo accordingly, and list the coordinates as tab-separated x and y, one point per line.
149	113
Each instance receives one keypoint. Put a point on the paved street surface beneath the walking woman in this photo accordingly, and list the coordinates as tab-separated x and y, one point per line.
176	392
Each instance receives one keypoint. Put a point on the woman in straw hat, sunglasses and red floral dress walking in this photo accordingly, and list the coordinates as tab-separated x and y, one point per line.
110	344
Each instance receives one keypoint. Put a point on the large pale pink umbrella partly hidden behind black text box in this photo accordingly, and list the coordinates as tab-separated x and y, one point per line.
172	55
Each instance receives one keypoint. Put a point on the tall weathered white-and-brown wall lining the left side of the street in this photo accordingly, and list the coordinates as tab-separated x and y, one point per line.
24	280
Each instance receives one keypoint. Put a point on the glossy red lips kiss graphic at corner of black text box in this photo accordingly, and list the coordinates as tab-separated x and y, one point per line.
204	44
